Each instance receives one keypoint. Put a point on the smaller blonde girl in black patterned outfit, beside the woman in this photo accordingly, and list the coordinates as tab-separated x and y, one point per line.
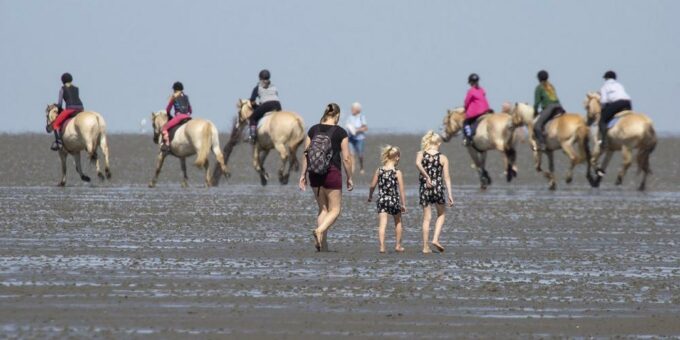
391	196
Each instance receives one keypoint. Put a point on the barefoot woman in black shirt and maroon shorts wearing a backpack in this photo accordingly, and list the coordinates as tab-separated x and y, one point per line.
326	151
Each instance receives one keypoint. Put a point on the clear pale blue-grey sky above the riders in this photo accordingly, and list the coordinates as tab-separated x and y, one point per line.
405	61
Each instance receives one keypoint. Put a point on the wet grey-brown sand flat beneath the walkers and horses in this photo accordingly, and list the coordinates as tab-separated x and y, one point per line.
119	259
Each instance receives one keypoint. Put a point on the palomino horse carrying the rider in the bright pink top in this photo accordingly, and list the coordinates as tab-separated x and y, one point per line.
494	132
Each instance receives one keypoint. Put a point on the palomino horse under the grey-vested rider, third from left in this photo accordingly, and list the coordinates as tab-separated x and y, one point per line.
280	130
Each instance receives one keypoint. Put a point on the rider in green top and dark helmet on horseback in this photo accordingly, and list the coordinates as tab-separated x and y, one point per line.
545	96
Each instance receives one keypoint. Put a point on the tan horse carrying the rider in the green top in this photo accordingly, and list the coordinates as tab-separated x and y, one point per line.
567	131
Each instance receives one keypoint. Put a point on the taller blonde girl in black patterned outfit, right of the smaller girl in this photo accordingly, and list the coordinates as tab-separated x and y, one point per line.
434	179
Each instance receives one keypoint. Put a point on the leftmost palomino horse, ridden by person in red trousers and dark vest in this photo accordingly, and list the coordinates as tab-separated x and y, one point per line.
86	131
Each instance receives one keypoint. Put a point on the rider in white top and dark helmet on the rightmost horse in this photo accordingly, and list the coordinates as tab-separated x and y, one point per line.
614	99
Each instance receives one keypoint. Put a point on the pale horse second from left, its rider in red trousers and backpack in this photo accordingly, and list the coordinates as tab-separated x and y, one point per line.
197	136
